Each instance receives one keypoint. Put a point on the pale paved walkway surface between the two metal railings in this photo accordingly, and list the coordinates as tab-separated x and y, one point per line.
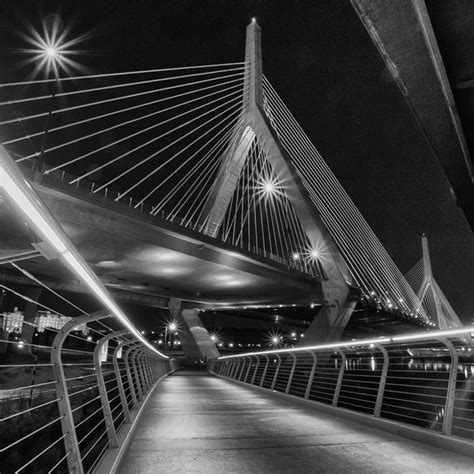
196	422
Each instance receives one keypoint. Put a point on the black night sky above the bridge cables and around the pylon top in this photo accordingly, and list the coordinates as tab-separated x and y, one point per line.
321	61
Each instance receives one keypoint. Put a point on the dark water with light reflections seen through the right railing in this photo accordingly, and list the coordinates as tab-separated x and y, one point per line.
417	387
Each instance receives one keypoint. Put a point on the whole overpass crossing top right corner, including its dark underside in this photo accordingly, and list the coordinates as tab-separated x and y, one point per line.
425	48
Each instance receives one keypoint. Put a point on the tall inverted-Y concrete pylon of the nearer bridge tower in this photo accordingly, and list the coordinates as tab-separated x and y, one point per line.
255	125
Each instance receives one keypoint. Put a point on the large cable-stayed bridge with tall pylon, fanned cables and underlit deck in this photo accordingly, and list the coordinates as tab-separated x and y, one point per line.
213	152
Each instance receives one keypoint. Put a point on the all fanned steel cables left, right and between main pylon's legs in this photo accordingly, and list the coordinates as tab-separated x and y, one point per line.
158	140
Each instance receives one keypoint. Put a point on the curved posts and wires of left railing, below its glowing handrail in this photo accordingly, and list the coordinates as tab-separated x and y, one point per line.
69	398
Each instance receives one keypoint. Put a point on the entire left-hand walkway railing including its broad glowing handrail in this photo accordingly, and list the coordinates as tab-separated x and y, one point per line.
66	397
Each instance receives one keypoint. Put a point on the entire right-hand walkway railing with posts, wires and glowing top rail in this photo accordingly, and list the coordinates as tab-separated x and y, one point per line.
421	379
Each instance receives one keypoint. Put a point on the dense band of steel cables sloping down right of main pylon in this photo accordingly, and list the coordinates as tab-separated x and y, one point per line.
372	268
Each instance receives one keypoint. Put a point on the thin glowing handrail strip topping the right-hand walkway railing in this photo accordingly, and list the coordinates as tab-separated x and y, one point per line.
364	342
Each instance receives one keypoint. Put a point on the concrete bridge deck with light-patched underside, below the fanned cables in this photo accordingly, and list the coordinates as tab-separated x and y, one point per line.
146	259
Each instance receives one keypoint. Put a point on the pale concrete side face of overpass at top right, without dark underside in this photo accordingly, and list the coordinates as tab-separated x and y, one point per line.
403	34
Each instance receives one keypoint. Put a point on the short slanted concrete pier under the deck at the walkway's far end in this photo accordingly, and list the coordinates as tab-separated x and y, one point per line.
195	340
